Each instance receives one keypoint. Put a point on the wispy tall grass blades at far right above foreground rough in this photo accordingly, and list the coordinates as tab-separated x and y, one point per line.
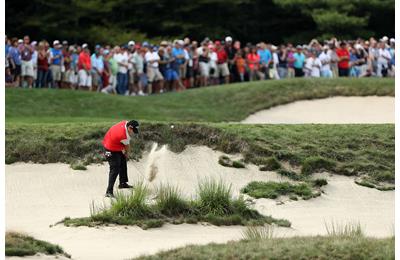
352	229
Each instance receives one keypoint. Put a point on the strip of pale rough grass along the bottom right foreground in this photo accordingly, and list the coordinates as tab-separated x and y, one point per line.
319	247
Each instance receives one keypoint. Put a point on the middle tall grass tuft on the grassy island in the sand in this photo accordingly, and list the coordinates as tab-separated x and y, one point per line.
170	202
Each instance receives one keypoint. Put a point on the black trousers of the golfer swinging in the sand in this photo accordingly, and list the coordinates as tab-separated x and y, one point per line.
117	162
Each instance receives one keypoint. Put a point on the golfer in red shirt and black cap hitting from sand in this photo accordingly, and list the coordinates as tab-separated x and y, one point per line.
116	145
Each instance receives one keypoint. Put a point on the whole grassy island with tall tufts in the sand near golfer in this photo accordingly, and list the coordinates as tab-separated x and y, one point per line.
213	204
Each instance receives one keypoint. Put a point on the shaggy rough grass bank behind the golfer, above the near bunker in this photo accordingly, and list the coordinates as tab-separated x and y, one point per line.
295	151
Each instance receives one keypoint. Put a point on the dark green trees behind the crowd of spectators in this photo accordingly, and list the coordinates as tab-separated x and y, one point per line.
117	21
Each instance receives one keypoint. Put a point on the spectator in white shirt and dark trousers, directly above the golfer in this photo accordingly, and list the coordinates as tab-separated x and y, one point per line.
121	57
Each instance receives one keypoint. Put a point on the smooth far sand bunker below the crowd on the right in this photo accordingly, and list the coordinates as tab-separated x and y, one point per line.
334	110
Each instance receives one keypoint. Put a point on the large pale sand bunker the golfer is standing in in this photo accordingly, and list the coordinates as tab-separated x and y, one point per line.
40	195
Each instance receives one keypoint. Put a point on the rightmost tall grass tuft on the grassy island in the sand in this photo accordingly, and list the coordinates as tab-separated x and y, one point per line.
214	197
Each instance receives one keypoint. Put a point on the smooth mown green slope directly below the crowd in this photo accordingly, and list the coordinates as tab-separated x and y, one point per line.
212	104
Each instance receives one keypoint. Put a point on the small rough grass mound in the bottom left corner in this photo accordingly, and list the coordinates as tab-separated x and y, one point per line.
22	245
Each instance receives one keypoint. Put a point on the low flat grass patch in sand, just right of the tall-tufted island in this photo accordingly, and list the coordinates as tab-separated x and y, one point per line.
272	190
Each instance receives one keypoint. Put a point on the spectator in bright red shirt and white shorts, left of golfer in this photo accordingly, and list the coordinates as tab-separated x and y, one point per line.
84	69
